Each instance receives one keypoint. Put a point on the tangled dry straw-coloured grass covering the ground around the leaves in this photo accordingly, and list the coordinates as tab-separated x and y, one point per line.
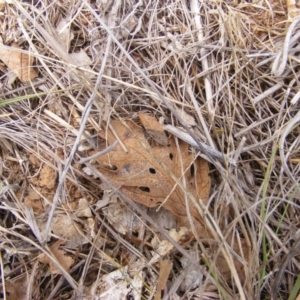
233	67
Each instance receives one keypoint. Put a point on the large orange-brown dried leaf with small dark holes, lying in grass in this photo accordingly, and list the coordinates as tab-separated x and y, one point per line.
140	174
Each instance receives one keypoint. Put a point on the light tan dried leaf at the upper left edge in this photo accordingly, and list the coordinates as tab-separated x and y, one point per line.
19	63
